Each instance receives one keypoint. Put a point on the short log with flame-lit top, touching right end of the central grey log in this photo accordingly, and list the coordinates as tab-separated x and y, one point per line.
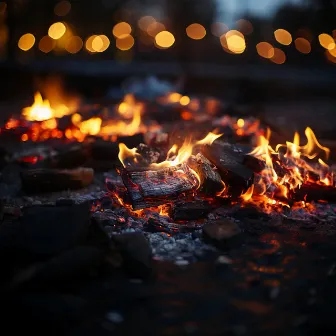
211	182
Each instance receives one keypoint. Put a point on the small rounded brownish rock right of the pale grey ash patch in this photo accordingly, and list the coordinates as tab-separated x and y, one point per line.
220	231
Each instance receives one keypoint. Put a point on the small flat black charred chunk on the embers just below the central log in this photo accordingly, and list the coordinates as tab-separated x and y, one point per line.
191	210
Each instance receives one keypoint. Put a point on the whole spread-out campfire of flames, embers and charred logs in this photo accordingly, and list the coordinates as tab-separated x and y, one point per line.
178	175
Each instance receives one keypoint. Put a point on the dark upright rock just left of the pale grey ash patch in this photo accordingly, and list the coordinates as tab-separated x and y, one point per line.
136	253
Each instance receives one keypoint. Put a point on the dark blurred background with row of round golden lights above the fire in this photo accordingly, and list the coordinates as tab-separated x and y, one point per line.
277	56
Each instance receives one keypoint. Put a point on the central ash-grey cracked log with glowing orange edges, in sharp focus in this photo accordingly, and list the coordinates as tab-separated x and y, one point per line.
155	187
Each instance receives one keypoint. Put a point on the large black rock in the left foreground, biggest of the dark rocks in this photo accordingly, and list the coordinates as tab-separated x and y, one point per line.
47	230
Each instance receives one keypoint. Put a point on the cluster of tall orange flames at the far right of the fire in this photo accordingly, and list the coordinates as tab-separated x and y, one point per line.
272	188
